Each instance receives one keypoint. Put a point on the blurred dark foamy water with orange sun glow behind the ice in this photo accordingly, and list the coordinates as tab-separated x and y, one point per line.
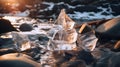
81	10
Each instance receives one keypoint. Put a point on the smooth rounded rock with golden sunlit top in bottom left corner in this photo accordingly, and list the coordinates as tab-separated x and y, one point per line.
11	60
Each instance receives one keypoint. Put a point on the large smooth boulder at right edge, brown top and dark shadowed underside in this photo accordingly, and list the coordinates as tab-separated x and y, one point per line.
109	30
